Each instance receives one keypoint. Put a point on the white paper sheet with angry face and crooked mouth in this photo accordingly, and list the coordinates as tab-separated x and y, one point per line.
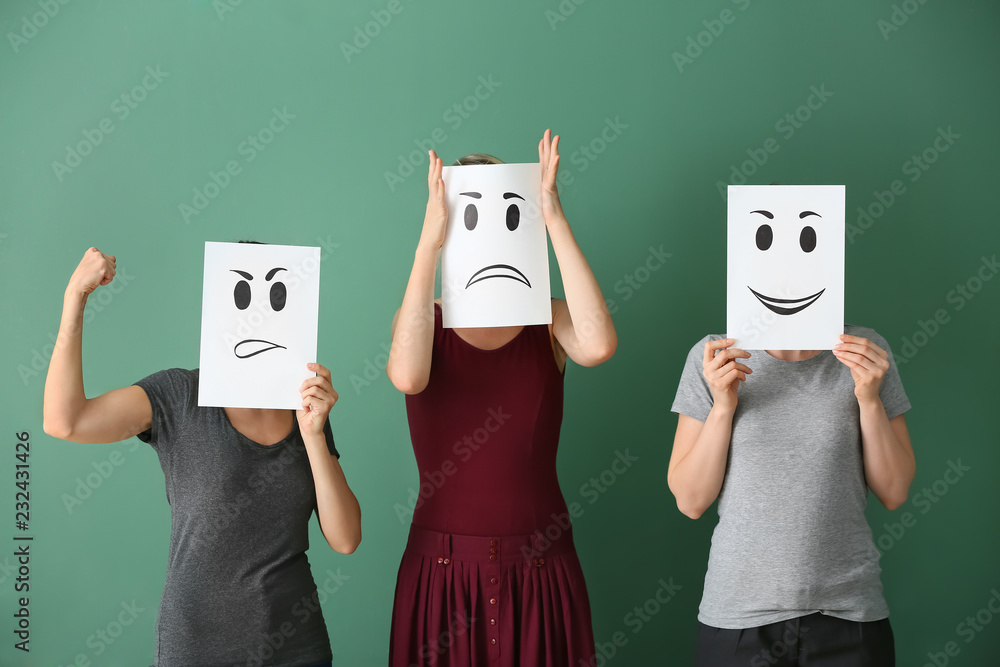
259	324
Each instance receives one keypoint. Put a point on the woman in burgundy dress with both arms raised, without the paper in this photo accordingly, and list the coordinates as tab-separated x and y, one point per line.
490	576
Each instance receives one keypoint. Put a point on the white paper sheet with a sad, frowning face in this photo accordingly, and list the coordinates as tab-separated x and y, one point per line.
495	261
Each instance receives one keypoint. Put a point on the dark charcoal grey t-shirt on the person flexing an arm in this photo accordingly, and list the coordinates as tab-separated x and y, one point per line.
239	590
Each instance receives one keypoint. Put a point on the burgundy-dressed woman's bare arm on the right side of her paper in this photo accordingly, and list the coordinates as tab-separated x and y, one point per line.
581	324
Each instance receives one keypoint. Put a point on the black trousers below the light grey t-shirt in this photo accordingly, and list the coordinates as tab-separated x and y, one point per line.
816	640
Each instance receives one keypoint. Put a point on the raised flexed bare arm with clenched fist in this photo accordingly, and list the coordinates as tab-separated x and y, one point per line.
67	412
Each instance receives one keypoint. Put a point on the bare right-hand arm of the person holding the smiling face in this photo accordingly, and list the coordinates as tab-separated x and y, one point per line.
886	449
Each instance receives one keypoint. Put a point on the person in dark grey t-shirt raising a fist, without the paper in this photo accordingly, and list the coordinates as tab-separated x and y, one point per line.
242	485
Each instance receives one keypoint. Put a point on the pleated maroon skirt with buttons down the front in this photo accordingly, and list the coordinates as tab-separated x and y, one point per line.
469	601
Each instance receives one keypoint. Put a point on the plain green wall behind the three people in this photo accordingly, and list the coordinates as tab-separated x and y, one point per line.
681	130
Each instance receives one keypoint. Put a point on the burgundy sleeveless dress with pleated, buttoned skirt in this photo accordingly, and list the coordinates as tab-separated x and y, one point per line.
489	576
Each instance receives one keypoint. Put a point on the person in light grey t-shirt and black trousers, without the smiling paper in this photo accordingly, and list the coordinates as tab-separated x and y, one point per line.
793	575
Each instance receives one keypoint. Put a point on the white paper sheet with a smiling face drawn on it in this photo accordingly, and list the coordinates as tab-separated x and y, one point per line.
785	268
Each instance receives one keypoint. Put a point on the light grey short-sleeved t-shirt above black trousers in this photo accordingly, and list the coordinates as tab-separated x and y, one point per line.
792	538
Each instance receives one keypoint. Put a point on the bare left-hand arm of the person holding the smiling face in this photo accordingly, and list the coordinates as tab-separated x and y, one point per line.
698	461
